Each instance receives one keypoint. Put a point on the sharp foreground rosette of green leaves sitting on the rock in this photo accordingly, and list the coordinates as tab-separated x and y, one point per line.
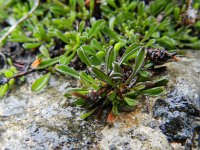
109	85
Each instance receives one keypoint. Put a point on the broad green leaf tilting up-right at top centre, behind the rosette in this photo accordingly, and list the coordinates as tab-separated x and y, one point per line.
96	28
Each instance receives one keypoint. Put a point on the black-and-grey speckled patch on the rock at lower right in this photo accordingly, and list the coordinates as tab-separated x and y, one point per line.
180	119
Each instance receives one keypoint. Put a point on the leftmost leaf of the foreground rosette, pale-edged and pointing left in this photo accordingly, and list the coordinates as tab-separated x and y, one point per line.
67	70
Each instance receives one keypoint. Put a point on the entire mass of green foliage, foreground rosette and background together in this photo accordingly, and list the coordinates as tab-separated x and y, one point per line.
108	35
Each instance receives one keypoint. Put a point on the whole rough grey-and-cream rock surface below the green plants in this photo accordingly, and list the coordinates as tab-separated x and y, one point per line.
44	120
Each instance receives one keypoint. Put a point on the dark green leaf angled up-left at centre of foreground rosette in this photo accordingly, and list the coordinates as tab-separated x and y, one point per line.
101	75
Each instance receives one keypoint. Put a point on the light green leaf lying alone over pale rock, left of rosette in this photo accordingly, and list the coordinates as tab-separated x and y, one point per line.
40	83
